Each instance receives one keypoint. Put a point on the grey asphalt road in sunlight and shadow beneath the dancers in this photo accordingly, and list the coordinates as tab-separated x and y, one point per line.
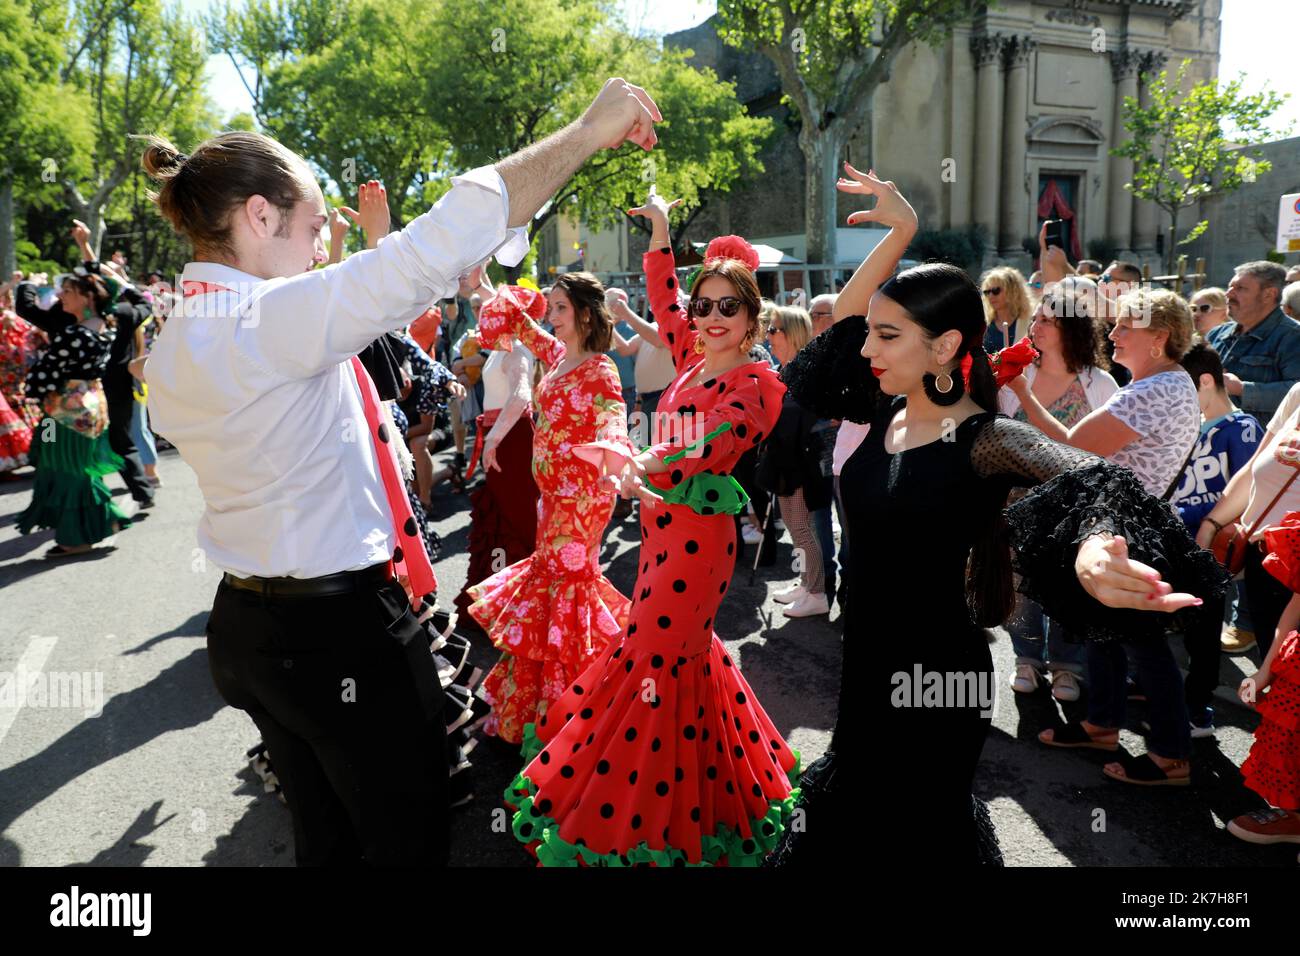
161	778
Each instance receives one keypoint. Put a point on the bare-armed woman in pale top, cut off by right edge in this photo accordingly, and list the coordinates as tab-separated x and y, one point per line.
1247	500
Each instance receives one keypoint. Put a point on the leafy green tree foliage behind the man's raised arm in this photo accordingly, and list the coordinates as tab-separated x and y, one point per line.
415	94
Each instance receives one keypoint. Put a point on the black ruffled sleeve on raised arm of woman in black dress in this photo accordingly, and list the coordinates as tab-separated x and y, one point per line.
831	379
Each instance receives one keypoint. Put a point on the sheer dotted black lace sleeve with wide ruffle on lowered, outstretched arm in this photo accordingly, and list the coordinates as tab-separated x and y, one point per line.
1076	495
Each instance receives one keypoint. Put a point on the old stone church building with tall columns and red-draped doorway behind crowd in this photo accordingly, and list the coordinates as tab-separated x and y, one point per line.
1007	123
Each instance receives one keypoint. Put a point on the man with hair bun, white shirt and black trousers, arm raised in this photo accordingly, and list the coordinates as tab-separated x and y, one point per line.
257	383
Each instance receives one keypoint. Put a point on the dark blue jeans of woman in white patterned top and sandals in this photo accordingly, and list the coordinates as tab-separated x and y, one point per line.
1162	681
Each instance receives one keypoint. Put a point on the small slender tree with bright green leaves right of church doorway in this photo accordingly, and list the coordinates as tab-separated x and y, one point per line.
1182	153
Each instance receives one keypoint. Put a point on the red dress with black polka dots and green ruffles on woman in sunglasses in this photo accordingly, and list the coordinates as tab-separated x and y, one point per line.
660	754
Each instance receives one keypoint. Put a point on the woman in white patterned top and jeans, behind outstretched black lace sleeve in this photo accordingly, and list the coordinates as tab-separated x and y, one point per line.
1150	427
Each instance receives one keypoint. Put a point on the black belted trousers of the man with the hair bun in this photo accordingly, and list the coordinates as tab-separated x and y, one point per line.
348	700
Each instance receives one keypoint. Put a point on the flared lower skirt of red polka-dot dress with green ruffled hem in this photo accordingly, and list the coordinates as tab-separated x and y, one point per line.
694	776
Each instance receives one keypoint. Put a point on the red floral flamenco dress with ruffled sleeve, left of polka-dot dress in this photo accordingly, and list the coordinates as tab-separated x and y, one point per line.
553	613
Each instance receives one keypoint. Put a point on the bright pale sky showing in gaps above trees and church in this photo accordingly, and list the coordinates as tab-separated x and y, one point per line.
1266	57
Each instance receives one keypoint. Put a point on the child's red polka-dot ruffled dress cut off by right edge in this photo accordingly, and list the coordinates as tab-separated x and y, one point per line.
1273	768
